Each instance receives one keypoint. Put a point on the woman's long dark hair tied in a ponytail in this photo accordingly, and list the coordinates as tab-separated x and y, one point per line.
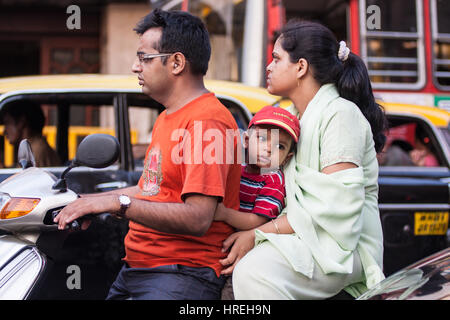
316	44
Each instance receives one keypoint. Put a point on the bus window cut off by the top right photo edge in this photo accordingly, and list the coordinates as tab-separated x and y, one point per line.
440	12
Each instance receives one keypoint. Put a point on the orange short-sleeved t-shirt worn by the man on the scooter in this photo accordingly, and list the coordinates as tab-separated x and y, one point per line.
177	164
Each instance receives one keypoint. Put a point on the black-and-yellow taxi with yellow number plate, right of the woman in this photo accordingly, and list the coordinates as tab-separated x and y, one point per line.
414	200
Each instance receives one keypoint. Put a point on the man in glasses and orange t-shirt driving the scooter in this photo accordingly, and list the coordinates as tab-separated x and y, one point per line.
173	246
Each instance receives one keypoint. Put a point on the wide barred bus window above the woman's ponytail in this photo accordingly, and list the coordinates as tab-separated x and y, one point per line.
393	48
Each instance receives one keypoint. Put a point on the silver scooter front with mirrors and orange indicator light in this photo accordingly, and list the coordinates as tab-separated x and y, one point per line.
29	201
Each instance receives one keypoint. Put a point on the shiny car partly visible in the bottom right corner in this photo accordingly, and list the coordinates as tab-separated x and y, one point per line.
427	279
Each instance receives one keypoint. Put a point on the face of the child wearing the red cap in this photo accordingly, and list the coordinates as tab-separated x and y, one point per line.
268	146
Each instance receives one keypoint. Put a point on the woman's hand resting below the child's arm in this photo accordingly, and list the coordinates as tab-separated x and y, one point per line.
240	242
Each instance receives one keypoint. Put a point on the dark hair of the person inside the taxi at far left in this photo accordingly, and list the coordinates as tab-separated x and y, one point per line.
28	110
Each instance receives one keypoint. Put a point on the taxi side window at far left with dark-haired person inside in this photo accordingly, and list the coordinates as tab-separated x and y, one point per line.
40	123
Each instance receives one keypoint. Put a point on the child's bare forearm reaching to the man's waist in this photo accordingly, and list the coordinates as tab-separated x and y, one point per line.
237	219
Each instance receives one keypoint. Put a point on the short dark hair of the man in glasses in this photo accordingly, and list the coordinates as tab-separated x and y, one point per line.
181	32
